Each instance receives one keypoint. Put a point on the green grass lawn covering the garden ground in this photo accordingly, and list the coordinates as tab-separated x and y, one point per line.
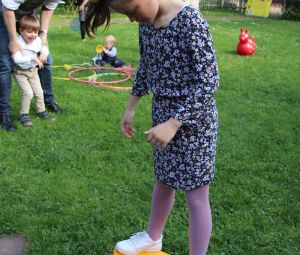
76	186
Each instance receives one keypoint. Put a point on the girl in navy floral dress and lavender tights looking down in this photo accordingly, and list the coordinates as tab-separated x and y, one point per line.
178	65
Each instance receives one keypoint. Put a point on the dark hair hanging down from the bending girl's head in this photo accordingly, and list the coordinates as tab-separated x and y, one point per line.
97	15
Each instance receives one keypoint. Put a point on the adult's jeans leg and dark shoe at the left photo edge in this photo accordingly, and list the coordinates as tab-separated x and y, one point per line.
5	78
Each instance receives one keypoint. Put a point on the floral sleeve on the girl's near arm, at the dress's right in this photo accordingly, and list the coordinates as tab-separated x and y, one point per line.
205	77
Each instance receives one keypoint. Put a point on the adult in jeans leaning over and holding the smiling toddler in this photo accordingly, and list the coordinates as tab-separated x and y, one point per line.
10	12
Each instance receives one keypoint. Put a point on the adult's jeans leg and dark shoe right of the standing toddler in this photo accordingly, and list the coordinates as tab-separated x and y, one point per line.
45	75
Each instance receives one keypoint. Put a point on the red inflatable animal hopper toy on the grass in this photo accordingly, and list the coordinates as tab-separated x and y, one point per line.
246	46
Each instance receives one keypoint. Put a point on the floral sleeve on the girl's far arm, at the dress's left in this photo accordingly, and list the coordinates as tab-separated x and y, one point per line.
140	87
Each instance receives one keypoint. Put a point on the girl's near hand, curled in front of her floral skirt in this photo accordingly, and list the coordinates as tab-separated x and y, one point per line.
163	133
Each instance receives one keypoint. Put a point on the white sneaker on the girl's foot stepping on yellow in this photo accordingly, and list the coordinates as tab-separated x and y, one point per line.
137	243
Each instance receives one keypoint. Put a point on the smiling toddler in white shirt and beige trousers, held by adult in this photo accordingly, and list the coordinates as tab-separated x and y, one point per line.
27	63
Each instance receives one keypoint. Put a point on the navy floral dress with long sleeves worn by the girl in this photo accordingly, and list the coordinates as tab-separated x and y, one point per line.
178	65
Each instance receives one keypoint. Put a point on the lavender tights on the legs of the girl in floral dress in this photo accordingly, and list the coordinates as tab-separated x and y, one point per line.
200	222
